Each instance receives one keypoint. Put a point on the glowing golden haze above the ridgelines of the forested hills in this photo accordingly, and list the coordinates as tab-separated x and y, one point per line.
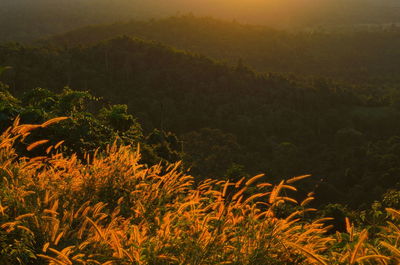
26	20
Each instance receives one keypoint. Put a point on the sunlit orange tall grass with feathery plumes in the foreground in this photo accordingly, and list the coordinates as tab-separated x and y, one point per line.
110	209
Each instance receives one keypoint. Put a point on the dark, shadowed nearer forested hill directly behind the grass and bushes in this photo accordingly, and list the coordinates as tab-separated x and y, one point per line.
232	120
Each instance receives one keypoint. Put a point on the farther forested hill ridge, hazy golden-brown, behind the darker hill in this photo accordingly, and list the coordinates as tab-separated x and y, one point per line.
368	55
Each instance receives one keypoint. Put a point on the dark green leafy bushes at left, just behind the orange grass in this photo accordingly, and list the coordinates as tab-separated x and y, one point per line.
86	130
